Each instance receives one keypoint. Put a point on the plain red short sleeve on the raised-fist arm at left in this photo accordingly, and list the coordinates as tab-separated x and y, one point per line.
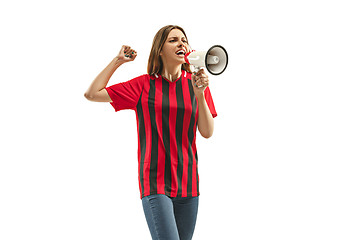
126	95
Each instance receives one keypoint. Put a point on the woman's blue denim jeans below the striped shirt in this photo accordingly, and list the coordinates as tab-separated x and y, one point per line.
170	218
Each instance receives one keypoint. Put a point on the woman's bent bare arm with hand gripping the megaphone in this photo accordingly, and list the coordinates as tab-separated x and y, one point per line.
205	120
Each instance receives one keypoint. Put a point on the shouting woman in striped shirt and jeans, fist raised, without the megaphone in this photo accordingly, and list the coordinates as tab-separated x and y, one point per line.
170	104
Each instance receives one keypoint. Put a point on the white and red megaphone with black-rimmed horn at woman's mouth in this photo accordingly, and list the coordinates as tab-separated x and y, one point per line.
215	59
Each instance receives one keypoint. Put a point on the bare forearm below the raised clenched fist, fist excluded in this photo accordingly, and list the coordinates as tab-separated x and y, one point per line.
104	76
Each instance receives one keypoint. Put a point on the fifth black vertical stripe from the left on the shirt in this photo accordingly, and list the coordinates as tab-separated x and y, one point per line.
191	136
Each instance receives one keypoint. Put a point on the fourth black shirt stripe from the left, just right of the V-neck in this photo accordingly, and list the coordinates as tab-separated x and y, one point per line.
179	131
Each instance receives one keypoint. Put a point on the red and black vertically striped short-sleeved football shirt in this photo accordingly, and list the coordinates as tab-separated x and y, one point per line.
166	114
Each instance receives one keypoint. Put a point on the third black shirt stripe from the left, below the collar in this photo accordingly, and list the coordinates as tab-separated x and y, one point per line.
166	134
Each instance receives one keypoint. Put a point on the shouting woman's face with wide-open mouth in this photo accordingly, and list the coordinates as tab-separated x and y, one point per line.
175	47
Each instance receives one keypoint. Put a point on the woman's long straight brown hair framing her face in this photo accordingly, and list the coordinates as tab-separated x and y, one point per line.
155	64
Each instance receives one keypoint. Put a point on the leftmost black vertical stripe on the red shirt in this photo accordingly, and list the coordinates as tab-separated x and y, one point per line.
142	137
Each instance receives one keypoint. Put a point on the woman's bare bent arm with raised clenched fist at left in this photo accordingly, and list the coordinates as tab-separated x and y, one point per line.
96	92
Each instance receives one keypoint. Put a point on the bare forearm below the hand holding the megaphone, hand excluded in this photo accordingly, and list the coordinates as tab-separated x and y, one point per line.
205	120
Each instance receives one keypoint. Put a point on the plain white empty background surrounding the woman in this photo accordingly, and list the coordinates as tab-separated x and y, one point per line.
282	164
